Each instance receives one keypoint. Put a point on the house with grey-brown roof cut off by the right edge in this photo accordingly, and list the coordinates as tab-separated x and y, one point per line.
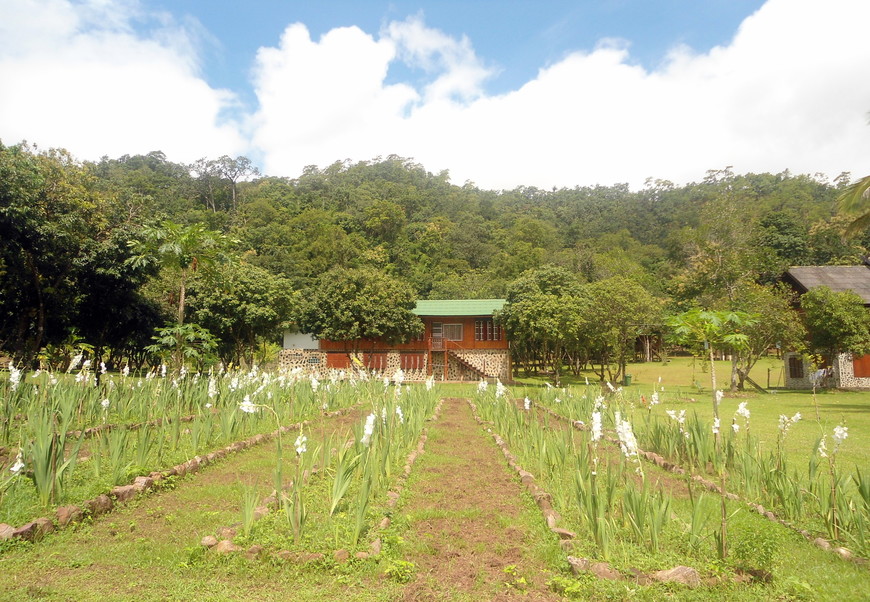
844	370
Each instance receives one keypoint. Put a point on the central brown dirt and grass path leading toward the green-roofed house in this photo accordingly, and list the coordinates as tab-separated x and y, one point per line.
472	532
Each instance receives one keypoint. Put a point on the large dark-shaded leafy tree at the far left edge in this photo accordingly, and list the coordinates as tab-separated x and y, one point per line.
50	217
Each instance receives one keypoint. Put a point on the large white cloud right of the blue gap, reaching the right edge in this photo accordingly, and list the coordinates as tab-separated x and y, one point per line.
788	92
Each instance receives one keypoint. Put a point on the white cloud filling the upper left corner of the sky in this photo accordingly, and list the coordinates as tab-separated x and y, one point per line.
77	75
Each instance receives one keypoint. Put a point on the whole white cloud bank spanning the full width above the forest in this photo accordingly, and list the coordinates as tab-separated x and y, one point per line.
788	92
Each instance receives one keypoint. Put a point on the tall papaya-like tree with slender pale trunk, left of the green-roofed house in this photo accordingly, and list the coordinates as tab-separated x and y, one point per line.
178	248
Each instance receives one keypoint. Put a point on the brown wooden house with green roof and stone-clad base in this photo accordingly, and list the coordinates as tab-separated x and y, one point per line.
461	342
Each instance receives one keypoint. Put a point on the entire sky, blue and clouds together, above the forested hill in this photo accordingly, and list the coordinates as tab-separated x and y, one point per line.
498	93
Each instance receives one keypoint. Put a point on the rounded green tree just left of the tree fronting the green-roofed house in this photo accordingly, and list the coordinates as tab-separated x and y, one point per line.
241	304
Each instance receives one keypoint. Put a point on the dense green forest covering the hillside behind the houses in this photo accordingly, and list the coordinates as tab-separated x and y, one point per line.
102	255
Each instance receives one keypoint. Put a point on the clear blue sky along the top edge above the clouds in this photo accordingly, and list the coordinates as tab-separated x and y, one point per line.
516	37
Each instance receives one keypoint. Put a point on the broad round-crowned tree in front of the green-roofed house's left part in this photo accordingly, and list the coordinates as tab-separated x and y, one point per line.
352	305
